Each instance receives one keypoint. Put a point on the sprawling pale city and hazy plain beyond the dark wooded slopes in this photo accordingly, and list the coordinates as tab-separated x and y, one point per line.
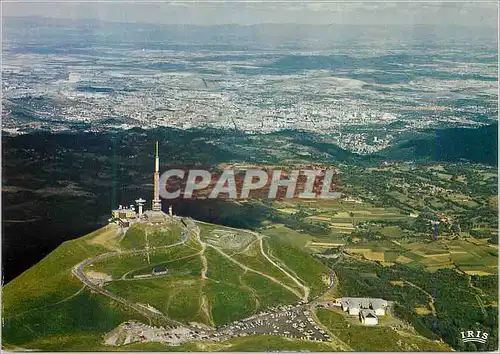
360	98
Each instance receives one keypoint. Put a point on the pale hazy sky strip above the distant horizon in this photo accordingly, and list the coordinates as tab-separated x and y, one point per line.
481	14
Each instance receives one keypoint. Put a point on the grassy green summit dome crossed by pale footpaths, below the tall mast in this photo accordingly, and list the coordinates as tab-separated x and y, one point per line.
215	275
